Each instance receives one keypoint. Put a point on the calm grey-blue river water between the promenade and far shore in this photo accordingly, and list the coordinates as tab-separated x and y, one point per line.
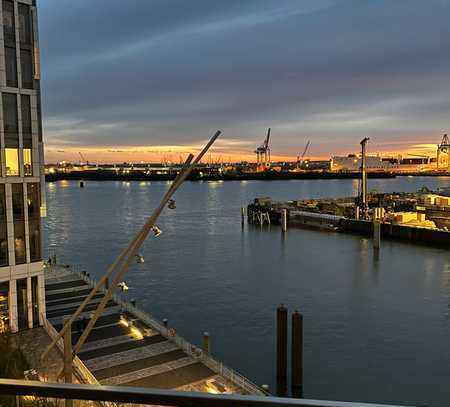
375	330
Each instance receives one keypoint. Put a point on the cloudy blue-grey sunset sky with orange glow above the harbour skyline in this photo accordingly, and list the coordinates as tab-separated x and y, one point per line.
151	80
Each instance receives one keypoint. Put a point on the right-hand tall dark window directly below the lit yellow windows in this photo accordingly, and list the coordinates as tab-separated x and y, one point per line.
33	202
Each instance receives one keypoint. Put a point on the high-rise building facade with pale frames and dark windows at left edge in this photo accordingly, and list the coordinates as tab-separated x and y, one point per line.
22	290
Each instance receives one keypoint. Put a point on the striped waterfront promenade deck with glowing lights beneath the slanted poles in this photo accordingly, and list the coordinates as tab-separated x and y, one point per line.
128	347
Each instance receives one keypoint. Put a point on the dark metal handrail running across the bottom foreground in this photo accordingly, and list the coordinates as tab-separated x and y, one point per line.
159	397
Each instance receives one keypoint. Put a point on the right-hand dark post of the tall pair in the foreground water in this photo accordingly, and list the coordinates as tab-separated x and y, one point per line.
297	354
